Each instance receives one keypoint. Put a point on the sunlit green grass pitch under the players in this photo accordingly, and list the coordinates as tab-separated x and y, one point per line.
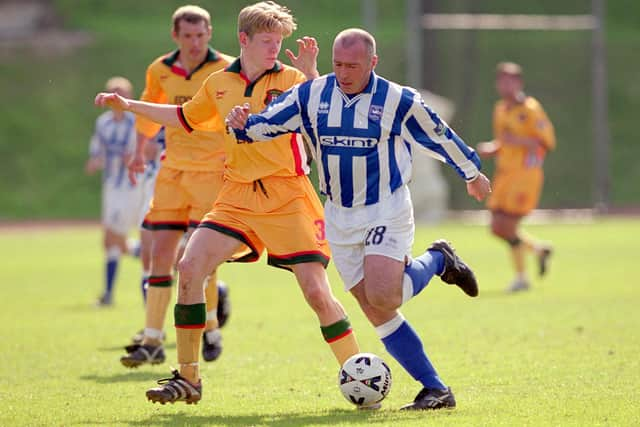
566	353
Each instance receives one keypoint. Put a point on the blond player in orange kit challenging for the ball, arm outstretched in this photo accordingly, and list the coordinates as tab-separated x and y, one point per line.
266	201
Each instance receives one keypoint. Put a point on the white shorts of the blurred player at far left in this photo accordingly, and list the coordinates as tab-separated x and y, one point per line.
121	208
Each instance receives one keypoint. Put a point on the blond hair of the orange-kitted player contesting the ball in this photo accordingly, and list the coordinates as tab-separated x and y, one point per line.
266	16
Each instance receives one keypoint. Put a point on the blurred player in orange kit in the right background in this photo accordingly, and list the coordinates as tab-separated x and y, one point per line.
523	135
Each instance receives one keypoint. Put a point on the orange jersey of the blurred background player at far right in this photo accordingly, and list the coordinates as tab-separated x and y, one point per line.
526	119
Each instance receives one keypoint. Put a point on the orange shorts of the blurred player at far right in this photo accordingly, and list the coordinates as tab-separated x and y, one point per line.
517	192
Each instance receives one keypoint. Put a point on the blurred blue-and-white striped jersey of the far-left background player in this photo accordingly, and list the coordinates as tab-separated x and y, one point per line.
113	141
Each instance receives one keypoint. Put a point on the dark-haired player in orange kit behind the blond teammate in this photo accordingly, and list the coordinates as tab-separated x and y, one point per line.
188	182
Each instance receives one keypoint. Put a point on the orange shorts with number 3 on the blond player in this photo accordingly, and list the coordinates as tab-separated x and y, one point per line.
281	214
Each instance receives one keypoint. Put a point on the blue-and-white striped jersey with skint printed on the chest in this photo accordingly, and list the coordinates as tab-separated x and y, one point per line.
363	143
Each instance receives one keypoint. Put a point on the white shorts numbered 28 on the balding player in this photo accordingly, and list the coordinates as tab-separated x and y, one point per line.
385	228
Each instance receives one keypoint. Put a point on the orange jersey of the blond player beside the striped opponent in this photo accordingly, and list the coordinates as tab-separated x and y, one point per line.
283	156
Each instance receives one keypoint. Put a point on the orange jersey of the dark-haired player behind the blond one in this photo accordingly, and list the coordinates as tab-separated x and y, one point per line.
168	83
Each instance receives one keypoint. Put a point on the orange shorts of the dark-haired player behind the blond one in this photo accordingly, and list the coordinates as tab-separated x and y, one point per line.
181	198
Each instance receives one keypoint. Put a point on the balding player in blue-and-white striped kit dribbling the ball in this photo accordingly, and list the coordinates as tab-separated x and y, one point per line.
362	128
